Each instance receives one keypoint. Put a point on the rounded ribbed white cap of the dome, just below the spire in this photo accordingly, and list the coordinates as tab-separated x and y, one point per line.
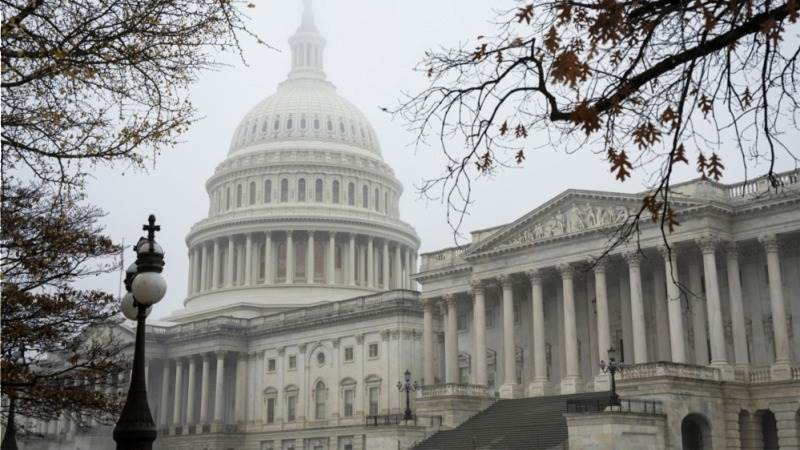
305	109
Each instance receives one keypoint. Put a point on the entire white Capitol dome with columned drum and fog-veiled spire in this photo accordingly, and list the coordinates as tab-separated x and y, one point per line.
303	210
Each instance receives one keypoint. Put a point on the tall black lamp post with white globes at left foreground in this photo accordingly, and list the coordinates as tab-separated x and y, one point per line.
145	286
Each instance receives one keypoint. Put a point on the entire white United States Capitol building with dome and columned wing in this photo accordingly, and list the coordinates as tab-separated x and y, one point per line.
307	301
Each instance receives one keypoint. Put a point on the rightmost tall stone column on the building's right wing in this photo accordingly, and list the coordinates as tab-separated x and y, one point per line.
778	308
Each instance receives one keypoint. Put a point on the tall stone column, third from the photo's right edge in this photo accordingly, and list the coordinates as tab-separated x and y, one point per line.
716	327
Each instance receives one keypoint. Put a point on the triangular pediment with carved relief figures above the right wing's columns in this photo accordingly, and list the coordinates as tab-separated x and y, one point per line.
570	213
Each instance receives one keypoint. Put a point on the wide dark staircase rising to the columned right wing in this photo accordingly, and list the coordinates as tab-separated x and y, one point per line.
535	423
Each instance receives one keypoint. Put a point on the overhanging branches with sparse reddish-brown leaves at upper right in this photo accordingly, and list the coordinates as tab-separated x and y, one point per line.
649	83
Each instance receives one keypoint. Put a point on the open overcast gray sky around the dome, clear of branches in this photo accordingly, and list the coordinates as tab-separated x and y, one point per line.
371	50
